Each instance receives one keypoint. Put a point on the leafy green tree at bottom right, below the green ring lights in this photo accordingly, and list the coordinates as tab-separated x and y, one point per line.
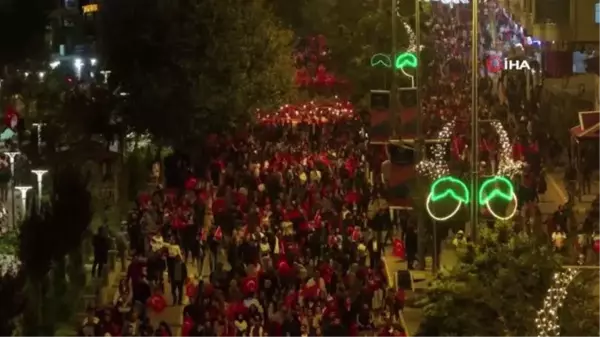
497	288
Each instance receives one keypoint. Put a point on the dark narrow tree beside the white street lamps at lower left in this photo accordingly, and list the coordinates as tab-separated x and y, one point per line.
46	240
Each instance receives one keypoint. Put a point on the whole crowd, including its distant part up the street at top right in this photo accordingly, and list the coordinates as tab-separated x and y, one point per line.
279	232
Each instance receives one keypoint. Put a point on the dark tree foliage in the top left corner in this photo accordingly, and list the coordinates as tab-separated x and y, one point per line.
22	30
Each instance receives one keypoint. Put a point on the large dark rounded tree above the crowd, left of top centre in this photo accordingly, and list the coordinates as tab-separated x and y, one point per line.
190	67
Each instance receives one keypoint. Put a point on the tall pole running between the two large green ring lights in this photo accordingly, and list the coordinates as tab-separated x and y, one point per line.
474	119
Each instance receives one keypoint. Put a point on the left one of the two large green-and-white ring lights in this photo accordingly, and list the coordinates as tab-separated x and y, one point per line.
460	196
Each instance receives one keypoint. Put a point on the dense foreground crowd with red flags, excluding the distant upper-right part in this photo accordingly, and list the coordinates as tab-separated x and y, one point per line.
278	234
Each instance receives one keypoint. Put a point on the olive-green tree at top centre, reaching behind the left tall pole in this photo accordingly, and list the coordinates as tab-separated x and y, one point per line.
355	31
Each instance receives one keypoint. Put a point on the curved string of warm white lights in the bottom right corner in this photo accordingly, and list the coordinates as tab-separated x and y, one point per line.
547	321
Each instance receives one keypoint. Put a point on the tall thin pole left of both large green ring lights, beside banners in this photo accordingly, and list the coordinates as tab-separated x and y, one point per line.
419	143
